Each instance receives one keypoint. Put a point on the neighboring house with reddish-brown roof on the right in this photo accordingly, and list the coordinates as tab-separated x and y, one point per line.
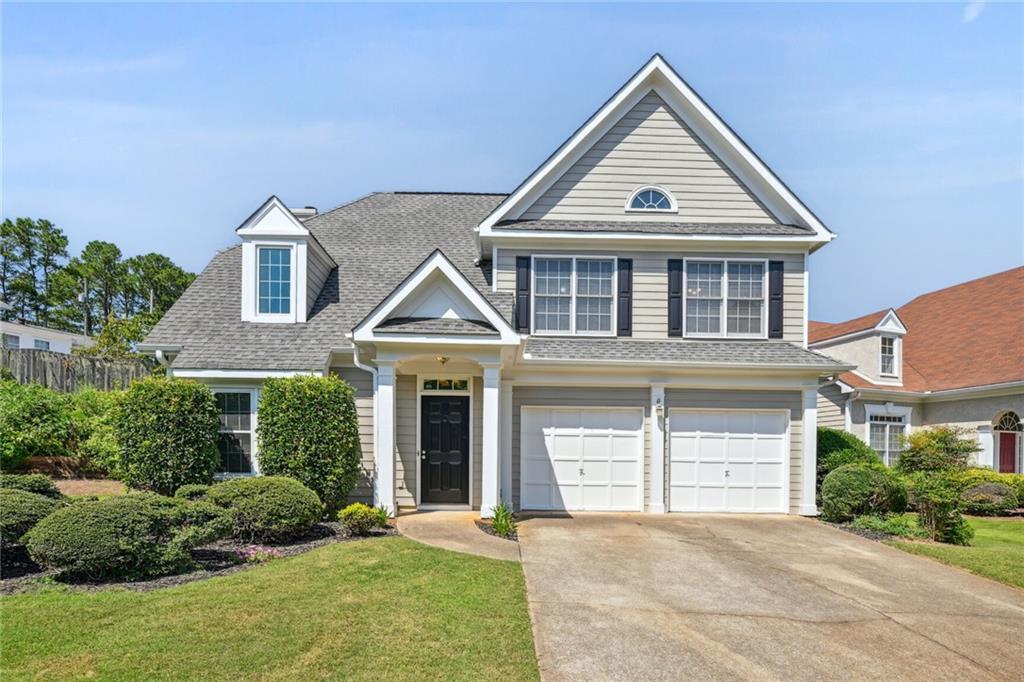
953	357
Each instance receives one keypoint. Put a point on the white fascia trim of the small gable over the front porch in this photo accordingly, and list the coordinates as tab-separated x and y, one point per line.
437	263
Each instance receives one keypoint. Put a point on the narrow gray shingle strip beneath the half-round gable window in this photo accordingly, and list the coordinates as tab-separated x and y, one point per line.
652	228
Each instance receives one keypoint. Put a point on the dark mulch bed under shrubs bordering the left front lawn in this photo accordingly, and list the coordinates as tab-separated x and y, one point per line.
19	573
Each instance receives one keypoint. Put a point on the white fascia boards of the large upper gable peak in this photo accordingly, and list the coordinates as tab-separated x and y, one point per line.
659	76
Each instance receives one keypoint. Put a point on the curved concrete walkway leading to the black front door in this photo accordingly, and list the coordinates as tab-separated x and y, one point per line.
456	531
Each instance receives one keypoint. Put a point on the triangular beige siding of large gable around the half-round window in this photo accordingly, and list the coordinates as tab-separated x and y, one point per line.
650	146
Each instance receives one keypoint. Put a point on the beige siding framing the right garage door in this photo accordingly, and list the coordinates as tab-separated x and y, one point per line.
727	400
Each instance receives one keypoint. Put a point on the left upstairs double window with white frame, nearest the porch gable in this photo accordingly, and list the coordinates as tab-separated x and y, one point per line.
574	296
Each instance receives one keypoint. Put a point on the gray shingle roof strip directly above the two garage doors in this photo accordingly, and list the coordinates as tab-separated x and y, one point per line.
622	350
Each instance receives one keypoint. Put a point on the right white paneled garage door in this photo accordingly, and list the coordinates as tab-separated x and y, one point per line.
729	461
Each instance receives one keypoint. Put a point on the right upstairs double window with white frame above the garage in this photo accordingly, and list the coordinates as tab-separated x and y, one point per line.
726	299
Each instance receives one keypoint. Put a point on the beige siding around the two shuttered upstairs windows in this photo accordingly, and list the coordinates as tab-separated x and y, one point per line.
651	286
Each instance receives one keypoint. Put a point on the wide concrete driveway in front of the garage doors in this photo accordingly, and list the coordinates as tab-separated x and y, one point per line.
685	598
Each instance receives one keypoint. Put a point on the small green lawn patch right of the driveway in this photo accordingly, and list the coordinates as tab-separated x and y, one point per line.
997	551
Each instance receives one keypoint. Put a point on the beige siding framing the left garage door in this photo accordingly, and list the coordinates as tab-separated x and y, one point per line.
577	398
